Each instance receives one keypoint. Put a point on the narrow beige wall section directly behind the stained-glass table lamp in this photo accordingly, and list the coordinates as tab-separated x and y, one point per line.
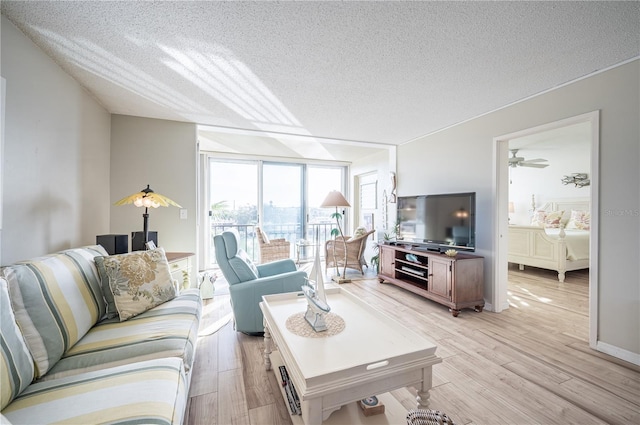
162	154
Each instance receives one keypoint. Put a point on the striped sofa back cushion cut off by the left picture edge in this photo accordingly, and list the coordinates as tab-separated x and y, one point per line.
16	368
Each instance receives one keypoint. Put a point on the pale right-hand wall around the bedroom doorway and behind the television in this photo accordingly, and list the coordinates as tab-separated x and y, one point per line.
461	159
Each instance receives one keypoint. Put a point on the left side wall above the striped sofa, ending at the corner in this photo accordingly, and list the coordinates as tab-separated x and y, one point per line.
56	155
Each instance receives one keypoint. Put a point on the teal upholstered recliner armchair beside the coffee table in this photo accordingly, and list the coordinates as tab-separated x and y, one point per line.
249	282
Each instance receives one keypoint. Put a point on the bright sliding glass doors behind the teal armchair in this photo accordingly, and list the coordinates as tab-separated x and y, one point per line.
283	198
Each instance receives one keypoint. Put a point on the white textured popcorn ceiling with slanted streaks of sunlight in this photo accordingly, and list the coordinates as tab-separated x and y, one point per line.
381	72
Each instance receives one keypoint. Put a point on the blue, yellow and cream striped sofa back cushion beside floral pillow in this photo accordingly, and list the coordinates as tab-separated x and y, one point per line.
54	304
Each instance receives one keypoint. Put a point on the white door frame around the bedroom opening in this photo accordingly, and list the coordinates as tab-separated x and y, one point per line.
500	224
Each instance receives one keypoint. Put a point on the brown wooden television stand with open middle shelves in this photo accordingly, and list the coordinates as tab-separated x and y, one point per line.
457	282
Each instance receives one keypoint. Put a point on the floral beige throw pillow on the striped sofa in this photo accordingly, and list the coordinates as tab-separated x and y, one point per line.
139	281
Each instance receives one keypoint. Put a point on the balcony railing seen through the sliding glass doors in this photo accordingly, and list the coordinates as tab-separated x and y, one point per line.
316	235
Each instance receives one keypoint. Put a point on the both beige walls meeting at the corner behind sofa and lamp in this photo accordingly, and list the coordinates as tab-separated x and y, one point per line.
67	160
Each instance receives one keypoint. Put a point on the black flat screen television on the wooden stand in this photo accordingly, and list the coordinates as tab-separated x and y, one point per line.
438	222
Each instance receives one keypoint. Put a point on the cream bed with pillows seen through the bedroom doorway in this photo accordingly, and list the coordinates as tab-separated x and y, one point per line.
561	243
